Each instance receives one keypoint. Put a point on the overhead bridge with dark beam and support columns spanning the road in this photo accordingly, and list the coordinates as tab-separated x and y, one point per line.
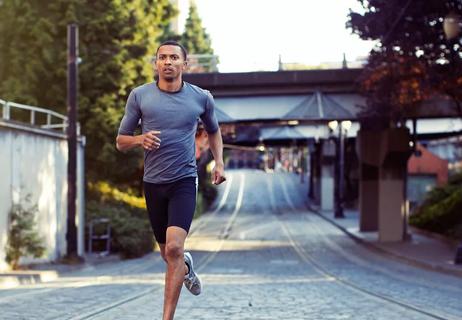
294	108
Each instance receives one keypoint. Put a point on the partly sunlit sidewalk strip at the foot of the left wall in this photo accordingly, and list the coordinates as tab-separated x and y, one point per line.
47	272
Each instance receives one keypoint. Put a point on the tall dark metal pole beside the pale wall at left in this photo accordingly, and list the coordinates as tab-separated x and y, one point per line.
72	45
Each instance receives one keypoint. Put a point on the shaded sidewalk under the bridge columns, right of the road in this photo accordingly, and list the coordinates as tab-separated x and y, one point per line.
423	249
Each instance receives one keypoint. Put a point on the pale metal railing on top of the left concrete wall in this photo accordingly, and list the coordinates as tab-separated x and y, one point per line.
51	123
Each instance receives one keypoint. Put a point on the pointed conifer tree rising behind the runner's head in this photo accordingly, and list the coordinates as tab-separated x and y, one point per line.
195	38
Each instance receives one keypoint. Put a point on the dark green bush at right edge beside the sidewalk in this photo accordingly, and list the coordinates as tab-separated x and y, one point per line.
441	211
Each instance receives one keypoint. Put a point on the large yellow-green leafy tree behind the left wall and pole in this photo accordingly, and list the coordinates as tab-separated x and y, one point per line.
117	39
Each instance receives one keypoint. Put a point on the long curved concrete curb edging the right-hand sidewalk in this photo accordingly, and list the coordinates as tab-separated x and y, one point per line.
381	250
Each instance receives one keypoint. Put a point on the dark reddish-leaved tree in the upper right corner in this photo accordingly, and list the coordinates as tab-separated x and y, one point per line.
413	59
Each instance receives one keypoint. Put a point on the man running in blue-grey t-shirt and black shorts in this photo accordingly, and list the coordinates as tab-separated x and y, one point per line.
169	110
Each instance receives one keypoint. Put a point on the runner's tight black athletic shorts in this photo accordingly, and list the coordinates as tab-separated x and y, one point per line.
170	204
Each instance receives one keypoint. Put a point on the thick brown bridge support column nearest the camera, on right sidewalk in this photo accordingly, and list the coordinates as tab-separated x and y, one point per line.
383	156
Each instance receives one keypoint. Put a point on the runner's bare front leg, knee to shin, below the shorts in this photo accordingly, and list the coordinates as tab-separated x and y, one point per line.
173	254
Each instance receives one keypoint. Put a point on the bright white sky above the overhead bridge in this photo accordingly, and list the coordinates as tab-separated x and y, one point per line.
249	35
